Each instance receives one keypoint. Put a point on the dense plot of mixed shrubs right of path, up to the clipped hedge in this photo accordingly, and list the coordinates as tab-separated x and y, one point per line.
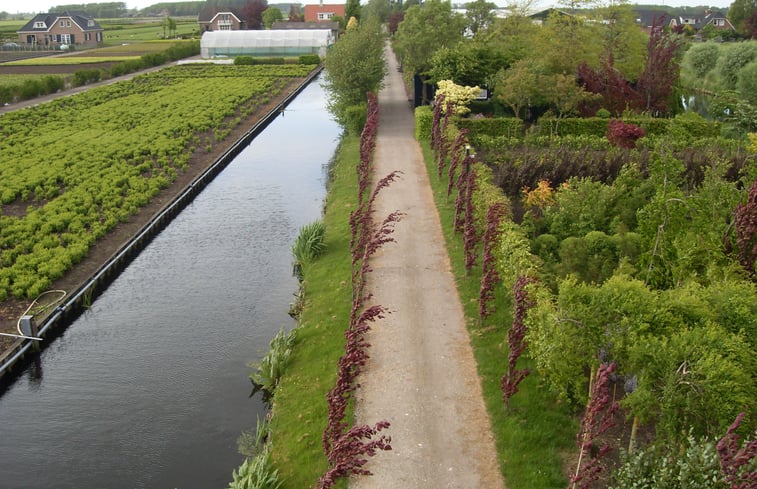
628	265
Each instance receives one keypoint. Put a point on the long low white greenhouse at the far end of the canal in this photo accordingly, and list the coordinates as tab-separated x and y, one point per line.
290	42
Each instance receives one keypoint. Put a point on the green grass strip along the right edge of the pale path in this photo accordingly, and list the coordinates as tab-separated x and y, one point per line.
538	433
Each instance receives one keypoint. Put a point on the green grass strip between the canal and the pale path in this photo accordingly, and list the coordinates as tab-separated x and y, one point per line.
299	409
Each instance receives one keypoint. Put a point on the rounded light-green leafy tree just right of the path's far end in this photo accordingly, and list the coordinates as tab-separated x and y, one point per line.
425	29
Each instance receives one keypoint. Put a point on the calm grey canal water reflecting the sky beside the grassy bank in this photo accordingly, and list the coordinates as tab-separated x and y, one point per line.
149	387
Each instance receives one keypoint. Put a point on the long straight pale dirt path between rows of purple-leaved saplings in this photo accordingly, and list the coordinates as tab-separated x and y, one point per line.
421	376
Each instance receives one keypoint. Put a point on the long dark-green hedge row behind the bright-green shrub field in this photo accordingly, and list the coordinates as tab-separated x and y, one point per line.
29	89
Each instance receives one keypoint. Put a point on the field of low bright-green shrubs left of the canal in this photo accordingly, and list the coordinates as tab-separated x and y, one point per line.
75	167
